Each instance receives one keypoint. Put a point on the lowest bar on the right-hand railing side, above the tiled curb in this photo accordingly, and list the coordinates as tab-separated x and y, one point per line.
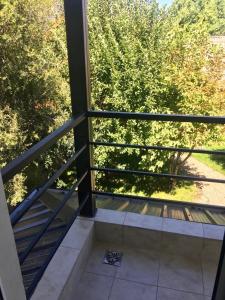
159	200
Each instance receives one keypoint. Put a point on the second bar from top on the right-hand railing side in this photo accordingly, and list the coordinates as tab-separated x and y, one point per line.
185	150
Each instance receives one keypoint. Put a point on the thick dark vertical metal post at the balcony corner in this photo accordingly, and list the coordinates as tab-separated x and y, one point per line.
77	44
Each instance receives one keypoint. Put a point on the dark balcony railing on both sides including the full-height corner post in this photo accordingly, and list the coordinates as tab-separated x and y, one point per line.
80	123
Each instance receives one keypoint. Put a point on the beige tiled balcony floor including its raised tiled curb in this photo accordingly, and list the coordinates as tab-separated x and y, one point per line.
163	259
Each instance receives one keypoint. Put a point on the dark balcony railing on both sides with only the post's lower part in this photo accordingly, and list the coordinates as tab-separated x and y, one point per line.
86	199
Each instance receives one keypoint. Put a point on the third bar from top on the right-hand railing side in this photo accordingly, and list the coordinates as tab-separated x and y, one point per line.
146	173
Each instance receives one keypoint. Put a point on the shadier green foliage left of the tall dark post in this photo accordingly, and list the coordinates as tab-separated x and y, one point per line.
33	84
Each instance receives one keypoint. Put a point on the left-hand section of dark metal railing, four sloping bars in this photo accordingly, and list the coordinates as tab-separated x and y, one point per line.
20	163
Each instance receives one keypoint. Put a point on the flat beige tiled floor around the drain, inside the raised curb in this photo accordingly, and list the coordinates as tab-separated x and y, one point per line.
147	275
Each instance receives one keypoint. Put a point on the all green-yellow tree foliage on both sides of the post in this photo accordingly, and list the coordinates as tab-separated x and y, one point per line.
144	58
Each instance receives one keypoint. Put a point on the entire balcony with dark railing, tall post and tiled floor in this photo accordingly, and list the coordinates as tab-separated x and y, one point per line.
58	240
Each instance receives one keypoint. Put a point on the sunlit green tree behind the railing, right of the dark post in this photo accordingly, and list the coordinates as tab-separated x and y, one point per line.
145	59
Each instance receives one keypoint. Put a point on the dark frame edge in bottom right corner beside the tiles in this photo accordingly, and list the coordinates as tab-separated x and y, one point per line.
219	288
